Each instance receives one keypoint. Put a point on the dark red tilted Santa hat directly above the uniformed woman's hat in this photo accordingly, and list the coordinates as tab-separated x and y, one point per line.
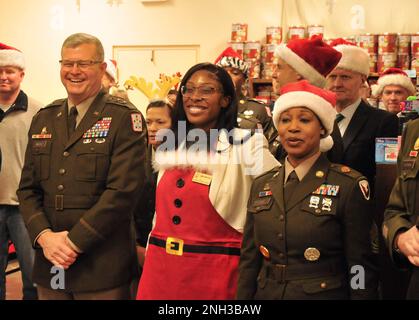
311	58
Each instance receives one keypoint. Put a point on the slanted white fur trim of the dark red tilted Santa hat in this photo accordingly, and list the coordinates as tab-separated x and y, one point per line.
300	65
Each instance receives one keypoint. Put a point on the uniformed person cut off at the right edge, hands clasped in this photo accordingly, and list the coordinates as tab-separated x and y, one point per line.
400	227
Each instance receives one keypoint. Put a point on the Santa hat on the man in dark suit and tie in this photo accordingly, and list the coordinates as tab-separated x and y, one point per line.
354	58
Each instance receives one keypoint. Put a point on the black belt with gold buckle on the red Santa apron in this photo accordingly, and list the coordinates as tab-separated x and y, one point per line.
177	247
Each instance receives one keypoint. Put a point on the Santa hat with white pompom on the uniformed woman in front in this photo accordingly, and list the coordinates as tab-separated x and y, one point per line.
318	100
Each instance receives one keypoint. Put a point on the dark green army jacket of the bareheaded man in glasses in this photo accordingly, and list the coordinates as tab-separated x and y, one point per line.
86	183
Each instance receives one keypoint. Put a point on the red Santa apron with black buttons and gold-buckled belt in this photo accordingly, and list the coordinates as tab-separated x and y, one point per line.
192	252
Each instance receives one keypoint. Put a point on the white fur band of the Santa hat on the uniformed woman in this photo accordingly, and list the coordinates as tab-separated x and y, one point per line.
322	108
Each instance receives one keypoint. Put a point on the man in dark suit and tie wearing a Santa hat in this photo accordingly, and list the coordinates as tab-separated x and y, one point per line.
359	123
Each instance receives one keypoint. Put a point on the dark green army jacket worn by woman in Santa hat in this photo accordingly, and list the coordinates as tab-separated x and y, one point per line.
306	248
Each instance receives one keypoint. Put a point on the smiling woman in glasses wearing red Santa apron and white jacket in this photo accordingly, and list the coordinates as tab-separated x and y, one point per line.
205	172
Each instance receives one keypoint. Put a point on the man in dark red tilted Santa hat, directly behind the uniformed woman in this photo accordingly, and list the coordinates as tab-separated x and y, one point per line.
310	59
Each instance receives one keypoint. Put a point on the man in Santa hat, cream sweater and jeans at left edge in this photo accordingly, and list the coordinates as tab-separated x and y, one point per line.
16	112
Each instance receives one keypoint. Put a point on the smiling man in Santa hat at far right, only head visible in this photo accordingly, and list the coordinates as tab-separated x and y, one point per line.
394	86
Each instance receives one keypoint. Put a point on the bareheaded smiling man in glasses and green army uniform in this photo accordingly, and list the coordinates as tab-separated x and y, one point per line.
83	170
